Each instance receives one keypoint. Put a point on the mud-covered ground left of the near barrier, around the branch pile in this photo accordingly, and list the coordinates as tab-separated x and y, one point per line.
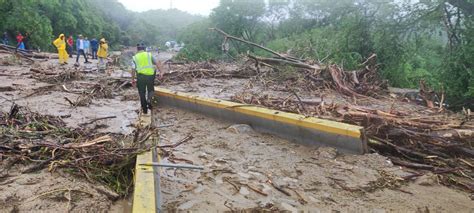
57	191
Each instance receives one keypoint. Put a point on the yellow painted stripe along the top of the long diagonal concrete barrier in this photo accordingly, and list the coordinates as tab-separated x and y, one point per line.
284	117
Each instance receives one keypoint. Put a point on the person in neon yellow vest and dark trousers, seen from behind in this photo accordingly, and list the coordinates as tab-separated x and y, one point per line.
143	76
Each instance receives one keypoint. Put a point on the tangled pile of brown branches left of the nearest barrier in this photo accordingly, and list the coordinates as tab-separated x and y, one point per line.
45	142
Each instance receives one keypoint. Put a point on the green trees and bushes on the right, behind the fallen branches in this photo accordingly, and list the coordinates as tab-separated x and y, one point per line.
414	40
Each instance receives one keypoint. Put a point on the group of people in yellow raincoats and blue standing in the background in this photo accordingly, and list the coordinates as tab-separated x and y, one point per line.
84	47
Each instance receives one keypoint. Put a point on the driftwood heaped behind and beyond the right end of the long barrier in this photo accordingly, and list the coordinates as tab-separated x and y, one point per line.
436	143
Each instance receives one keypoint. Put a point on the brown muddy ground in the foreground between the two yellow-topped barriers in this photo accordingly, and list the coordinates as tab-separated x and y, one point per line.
238	159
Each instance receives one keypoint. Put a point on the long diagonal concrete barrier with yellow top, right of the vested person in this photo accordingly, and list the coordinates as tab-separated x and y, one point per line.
305	130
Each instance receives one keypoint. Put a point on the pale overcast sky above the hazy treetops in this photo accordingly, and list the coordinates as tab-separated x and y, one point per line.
202	7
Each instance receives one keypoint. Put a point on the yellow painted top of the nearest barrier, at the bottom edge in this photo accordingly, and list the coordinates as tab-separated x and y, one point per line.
144	193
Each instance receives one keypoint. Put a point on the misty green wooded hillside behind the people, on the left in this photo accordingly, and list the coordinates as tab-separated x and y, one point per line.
44	20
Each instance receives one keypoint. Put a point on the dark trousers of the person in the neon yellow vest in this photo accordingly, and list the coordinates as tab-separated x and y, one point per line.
146	90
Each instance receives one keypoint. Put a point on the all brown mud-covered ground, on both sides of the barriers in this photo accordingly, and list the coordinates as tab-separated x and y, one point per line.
238	161
